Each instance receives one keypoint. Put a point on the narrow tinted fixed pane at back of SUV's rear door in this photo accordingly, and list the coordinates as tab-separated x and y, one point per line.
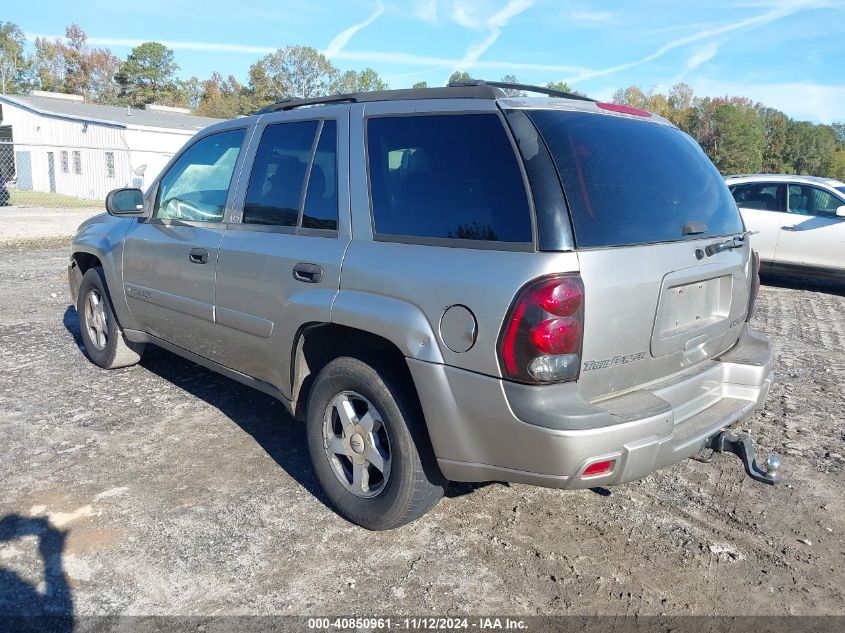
320	211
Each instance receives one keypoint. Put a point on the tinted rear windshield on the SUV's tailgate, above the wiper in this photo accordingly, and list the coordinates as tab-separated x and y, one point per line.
632	182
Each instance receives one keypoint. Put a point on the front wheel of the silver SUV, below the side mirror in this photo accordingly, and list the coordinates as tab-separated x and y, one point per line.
105	343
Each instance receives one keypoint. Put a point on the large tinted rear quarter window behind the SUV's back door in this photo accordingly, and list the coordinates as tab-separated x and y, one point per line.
446	176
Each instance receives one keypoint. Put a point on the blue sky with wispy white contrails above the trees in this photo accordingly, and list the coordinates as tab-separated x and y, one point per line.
789	54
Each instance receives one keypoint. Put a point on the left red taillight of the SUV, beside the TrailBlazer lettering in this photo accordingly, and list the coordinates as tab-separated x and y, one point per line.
542	336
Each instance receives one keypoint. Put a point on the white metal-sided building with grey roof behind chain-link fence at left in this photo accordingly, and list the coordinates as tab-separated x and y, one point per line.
57	143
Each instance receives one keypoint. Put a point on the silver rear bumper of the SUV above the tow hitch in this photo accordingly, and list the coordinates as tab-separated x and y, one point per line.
485	429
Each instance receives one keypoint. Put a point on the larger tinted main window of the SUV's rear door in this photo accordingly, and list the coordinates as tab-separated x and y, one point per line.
274	194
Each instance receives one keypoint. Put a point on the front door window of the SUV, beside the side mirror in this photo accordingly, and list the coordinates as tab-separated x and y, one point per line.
197	184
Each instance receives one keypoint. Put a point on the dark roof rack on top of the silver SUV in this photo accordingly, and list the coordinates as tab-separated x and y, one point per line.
471	89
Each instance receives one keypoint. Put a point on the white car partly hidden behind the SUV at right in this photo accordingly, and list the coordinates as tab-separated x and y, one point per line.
799	222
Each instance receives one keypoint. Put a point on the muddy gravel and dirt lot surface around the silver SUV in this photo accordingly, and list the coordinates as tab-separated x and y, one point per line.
165	489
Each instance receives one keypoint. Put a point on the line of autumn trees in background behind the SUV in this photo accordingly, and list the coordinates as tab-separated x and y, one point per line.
739	135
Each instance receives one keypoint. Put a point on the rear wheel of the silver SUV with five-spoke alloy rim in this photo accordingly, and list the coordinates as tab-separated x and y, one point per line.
368	444
